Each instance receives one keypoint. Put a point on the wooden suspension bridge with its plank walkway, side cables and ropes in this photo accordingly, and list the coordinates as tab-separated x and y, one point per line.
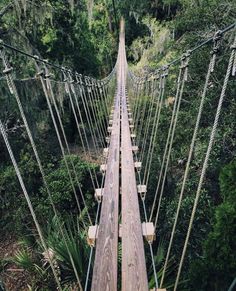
122	190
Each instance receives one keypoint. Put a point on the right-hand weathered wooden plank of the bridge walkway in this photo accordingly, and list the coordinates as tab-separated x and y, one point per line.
134	273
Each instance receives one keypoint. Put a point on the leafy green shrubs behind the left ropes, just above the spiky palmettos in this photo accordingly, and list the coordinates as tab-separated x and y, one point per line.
14	208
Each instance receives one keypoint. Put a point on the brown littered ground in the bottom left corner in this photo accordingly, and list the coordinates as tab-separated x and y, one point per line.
11	277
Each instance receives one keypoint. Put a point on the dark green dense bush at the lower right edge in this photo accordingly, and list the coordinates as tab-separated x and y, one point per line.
216	268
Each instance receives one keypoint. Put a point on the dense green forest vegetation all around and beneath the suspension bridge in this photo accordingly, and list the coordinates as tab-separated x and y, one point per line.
83	35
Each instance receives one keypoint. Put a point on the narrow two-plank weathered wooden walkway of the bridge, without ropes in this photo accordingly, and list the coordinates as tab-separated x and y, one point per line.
134	274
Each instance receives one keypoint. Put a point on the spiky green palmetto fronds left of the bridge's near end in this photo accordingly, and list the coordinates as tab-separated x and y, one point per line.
33	258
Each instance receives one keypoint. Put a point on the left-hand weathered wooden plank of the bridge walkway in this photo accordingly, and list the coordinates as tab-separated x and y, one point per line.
105	264
